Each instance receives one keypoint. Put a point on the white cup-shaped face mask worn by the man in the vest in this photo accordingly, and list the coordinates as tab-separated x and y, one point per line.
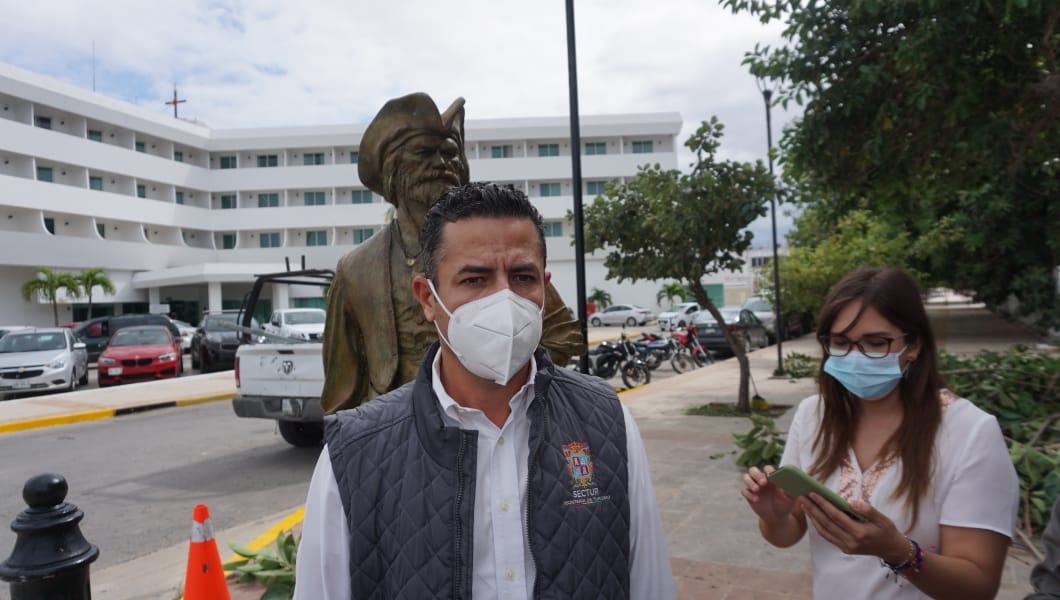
494	337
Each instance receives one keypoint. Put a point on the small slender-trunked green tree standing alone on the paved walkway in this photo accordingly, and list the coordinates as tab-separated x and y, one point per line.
634	225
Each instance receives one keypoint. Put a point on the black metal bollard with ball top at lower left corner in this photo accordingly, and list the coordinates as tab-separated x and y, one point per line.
51	558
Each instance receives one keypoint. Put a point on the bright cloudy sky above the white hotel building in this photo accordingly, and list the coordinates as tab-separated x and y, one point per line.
263	63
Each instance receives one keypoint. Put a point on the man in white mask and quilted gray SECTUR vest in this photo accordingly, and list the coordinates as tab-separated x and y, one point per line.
494	474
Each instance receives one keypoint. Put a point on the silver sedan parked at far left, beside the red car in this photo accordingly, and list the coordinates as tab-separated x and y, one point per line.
39	361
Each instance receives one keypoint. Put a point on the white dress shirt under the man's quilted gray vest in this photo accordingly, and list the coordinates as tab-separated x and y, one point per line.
502	569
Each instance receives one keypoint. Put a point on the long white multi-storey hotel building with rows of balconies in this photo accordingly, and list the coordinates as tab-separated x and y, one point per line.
183	217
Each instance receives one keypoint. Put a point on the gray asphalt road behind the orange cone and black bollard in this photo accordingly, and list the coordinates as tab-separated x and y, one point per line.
137	479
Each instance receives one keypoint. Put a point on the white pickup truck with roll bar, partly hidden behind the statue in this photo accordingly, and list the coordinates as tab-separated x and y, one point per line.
281	377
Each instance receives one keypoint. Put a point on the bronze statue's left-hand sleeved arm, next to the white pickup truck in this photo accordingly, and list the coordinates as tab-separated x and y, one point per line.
346	374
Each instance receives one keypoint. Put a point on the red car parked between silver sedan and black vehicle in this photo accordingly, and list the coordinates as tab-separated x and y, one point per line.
138	355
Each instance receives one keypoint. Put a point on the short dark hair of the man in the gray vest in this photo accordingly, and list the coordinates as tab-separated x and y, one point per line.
473	200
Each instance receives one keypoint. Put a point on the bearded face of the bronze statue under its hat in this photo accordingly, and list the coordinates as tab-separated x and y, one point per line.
423	169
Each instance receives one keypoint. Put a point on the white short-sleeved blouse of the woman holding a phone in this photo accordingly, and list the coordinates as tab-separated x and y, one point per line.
975	486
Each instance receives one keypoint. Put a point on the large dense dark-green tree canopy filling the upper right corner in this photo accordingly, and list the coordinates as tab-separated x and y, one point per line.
946	115
